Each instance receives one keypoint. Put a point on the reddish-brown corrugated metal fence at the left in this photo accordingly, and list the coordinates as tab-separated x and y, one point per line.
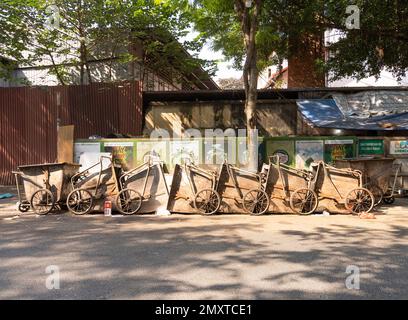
29	117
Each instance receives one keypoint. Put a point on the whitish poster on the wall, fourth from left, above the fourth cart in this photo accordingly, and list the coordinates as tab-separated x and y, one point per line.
181	150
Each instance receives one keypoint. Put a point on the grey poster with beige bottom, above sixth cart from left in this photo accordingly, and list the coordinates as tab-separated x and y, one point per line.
308	151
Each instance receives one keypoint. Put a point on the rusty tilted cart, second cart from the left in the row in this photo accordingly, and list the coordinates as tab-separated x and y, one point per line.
90	188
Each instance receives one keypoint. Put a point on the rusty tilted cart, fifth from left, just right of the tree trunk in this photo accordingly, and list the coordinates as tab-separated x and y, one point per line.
243	191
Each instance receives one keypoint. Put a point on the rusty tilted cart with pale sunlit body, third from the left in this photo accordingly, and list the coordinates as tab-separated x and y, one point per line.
143	189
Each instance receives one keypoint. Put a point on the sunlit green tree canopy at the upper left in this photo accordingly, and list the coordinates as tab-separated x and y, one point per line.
74	33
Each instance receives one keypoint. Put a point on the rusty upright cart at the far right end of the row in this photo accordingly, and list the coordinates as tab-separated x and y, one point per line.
376	175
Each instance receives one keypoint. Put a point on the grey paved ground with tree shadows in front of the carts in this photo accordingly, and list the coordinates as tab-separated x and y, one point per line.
195	257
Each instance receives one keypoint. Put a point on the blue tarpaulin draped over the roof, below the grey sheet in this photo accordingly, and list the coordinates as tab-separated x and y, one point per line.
324	113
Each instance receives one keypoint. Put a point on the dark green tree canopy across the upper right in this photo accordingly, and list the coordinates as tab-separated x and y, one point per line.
380	42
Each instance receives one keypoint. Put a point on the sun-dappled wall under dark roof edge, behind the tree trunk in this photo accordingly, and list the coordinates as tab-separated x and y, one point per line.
274	118
